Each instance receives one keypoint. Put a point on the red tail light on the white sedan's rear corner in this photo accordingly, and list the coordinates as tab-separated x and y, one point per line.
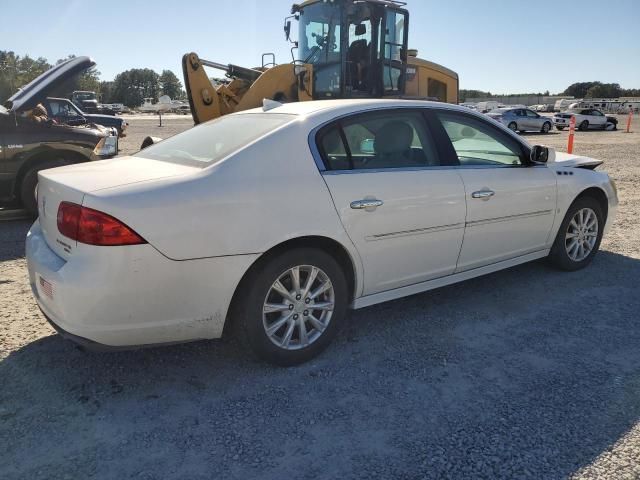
92	227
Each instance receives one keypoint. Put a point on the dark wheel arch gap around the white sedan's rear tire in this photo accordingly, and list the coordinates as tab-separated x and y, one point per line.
326	244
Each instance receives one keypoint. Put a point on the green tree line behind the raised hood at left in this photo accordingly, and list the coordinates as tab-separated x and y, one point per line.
130	87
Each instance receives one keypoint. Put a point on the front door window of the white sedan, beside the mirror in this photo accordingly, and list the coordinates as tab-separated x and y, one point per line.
479	143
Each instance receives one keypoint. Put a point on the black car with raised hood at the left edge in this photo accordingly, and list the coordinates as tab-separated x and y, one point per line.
30	141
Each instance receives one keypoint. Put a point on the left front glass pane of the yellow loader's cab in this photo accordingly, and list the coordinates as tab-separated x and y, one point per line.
319	43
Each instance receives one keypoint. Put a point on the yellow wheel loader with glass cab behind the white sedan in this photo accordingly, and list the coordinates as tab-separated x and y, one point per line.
345	49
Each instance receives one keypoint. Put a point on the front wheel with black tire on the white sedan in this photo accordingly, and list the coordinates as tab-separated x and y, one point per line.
562	255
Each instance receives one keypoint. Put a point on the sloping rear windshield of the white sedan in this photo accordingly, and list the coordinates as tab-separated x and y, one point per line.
211	142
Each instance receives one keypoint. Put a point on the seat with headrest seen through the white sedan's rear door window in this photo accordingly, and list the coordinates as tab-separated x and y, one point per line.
392	147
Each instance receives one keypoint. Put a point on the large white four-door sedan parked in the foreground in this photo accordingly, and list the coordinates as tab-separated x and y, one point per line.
277	221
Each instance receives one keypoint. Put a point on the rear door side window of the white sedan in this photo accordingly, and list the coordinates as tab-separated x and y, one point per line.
378	141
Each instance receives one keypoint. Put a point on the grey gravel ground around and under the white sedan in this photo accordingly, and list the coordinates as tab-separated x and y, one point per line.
526	373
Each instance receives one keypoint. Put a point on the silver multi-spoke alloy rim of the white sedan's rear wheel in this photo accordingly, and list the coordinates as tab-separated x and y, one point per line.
298	307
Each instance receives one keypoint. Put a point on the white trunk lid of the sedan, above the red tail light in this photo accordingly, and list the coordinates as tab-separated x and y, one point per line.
71	183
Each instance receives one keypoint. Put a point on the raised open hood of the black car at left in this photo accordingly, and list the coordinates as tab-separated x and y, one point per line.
38	89
